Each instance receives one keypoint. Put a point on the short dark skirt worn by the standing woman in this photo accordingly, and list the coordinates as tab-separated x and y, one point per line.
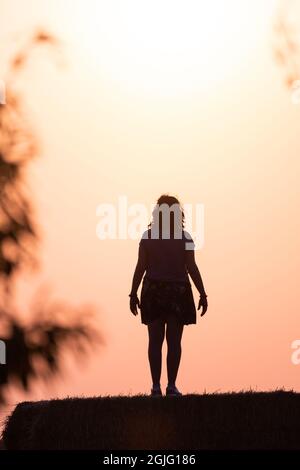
161	299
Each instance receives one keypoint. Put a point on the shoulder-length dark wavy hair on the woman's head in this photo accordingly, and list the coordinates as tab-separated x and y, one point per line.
171	208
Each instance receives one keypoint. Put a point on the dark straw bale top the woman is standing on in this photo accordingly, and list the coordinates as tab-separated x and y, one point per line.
247	420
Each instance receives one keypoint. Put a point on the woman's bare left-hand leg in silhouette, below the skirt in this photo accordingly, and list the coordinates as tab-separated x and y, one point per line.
156	331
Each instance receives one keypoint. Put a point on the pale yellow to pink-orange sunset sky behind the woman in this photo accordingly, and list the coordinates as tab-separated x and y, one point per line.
181	97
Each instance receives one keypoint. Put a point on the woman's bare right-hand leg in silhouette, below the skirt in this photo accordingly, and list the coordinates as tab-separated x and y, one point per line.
174	335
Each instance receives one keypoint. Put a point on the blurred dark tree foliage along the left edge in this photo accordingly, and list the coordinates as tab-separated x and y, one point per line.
33	350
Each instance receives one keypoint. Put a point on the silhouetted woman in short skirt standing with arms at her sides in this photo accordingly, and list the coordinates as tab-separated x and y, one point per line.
166	255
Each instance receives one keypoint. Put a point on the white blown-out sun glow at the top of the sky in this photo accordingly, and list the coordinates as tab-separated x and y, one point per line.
168	46
